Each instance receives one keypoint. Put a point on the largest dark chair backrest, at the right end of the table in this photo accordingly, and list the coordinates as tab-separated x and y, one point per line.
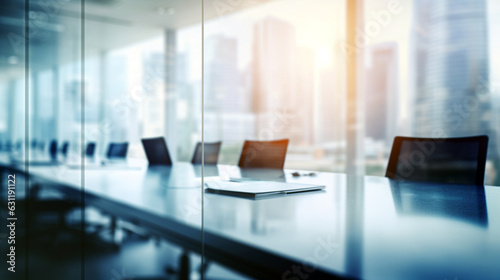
440	160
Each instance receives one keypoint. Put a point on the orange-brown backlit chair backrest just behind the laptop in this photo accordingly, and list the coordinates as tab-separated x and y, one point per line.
263	154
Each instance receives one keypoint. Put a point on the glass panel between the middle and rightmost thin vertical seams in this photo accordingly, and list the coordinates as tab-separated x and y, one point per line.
139	115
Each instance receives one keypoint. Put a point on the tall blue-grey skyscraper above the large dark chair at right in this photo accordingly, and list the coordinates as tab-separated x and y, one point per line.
451	60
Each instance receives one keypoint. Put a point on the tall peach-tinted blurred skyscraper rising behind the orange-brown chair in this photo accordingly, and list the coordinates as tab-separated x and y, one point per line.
274	87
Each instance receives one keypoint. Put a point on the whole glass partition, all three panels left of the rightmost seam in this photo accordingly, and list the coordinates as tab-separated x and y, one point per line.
114	74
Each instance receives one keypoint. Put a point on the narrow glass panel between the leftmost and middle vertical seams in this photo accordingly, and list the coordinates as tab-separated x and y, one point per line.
56	42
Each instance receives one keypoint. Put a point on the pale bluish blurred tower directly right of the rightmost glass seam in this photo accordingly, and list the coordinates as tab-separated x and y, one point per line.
227	116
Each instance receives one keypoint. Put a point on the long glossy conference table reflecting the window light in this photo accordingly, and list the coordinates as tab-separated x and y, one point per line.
357	228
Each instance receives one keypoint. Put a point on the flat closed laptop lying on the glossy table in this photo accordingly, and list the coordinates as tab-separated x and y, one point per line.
258	189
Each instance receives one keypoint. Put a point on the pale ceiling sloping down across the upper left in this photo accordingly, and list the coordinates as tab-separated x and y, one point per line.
109	24
